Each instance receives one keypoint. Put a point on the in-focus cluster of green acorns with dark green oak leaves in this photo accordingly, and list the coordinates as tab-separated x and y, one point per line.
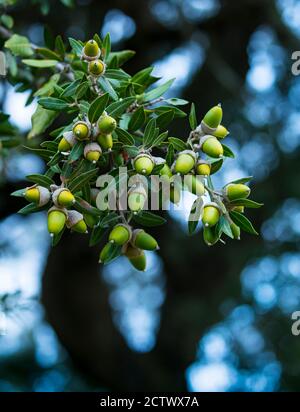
129	129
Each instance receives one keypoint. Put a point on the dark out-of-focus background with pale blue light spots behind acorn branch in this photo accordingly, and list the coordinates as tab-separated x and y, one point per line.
200	318
